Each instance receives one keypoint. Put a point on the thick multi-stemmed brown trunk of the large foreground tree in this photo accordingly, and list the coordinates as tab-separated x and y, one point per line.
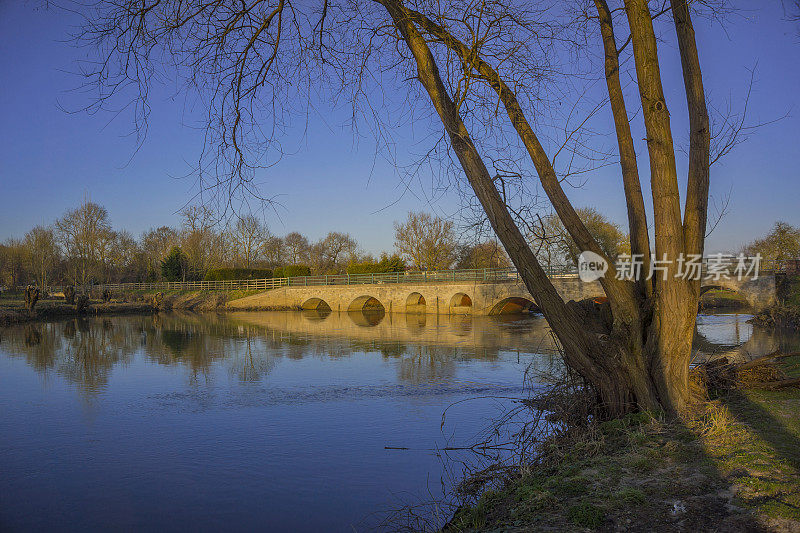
639	359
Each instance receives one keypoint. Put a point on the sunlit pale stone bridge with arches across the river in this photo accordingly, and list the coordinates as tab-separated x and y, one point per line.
475	297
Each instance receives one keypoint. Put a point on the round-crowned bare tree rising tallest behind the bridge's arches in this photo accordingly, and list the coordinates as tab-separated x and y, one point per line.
428	242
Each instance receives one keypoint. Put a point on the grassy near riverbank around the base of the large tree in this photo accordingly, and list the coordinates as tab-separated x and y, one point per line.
732	464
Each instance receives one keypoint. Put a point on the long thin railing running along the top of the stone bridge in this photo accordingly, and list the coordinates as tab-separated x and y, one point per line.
488	275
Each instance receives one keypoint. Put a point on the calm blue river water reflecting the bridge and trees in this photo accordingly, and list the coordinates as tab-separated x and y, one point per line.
272	421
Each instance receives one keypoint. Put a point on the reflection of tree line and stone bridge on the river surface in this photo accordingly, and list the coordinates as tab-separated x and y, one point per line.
426	347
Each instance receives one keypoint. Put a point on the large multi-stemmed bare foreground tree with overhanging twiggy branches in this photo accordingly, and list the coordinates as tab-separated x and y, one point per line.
255	60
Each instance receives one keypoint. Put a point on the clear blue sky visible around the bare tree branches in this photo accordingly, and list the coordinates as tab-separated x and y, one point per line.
49	159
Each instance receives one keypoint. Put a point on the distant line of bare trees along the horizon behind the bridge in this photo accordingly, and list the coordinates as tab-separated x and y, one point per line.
82	247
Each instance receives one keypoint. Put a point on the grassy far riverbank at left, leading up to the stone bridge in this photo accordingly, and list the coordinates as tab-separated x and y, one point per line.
13	308
